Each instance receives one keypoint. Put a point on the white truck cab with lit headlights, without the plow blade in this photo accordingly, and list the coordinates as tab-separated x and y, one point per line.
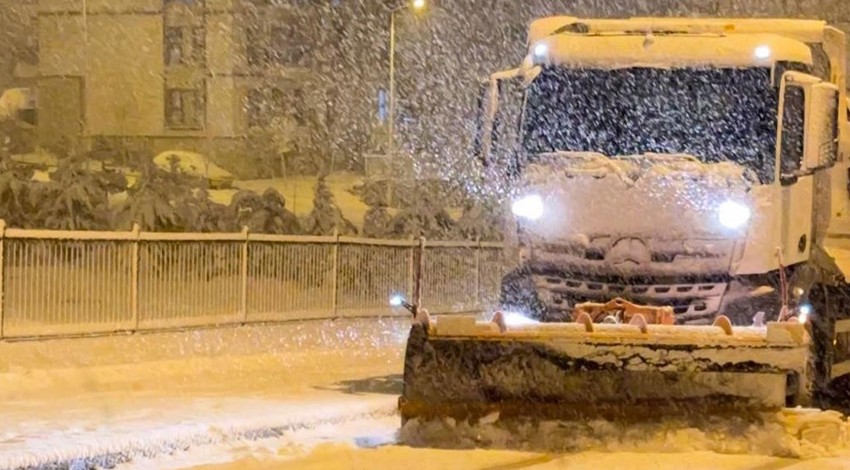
697	163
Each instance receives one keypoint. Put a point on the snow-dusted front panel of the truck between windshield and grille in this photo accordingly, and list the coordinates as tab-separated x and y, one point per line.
646	195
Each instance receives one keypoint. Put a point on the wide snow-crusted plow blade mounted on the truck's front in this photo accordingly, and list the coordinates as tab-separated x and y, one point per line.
466	369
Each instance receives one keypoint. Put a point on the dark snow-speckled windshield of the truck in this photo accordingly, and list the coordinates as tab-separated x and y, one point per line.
713	114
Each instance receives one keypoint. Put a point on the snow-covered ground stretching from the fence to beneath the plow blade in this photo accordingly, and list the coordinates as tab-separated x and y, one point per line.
318	395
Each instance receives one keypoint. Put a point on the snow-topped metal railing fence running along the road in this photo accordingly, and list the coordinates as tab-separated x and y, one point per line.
73	282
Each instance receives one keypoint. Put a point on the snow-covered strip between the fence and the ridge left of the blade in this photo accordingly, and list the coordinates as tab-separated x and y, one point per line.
126	397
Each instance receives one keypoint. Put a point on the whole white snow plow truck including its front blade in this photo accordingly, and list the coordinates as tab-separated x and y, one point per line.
678	232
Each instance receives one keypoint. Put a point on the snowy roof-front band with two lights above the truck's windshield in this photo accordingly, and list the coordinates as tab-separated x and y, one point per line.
693	50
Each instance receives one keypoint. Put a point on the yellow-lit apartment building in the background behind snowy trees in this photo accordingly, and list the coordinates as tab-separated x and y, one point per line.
166	74
